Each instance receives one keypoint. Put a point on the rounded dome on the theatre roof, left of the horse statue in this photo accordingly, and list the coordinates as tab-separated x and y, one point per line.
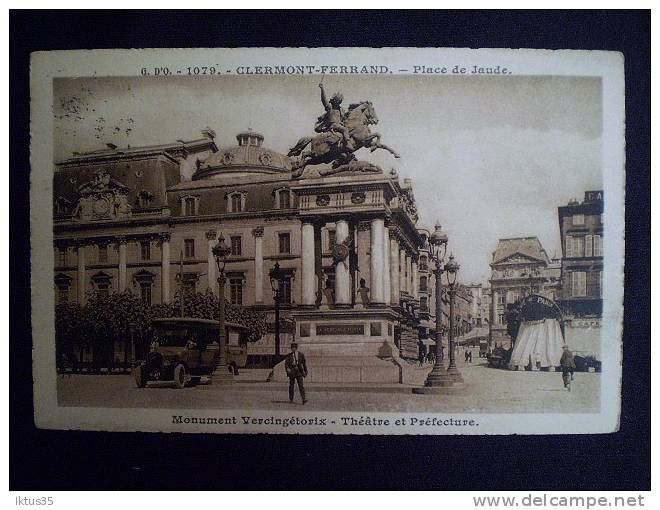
249	157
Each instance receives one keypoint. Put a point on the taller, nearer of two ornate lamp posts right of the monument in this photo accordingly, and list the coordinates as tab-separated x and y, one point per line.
438	378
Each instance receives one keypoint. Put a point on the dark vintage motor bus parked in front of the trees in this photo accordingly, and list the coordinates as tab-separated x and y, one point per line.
183	350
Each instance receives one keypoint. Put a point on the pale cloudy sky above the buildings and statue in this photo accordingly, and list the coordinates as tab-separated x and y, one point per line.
489	157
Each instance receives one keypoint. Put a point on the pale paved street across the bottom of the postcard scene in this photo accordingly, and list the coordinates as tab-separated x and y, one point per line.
488	390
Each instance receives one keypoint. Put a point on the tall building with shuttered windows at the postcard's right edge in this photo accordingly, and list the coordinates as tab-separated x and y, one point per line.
581	230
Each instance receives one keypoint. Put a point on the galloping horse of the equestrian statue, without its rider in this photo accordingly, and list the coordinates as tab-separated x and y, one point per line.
328	147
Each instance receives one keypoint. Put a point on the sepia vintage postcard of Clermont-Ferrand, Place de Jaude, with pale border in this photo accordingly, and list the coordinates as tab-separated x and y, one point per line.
345	241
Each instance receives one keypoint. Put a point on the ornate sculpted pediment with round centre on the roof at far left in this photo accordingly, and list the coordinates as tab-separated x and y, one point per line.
102	198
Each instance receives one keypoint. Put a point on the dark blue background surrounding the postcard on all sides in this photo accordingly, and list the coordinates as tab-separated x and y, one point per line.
41	460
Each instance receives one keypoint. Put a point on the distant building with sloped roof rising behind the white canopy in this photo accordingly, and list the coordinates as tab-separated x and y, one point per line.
519	266
